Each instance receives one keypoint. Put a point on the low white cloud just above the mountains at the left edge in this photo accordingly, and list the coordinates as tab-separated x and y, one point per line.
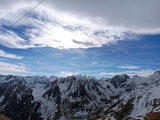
8	68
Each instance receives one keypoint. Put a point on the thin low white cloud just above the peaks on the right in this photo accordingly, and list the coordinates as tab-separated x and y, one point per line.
142	73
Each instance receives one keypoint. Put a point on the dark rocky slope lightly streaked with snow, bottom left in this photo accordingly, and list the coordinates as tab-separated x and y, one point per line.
17	103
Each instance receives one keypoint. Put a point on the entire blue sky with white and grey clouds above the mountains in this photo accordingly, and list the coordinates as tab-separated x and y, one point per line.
89	37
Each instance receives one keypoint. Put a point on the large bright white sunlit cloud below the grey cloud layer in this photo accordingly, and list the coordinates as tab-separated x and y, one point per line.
49	27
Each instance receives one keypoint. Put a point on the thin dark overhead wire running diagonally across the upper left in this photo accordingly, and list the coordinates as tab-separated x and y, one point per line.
3	31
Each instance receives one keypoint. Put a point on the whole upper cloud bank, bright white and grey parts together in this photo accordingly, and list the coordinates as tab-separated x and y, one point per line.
76	24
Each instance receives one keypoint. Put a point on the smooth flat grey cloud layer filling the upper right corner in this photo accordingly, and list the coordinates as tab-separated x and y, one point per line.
137	16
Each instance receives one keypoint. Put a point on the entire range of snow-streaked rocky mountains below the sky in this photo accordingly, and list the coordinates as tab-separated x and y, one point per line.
80	97
